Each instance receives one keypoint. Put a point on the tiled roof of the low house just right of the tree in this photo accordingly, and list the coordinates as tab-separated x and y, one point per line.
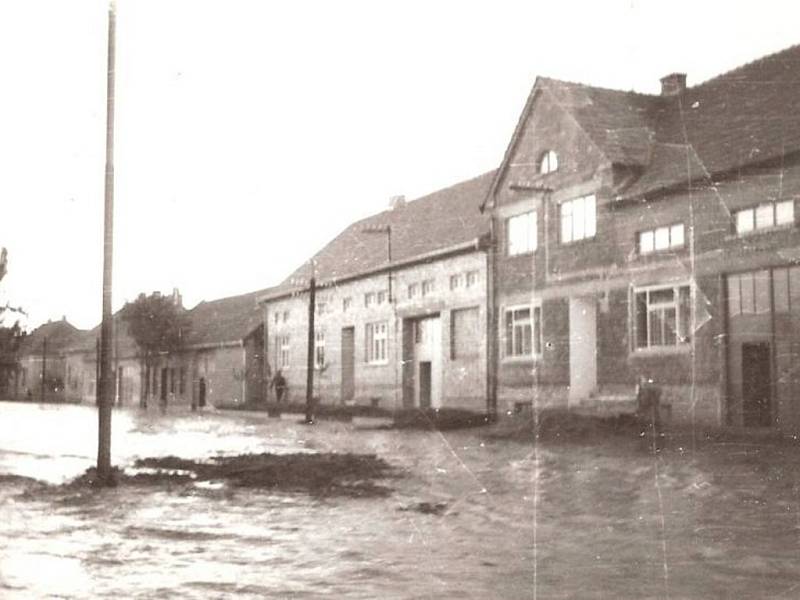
225	320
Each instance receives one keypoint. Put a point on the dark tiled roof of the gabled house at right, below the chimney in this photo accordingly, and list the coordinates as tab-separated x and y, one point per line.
746	116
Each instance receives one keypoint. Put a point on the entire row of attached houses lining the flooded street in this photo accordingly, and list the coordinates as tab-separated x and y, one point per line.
624	237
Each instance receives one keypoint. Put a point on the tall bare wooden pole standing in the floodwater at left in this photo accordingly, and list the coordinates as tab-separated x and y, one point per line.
104	473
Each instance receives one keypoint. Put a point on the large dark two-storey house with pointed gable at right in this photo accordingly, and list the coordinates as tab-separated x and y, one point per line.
654	237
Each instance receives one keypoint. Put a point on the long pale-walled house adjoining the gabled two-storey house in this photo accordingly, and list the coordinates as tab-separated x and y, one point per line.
401	315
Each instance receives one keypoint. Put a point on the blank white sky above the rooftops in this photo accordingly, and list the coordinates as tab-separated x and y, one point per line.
249	133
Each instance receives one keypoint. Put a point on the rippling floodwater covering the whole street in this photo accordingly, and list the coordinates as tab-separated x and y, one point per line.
558	520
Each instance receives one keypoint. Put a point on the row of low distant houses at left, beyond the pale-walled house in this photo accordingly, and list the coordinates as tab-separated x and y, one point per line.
220	360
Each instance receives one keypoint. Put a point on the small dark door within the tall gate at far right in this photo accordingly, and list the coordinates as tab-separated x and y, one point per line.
756	385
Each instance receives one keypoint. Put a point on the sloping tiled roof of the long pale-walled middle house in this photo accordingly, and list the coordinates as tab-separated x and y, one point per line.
433	223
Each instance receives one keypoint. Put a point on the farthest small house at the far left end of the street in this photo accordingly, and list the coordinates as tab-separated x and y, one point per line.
41	365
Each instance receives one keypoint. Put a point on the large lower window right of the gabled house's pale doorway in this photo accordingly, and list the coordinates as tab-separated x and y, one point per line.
662	317
